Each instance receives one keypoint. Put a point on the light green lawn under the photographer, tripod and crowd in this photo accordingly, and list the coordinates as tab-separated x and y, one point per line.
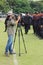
34	47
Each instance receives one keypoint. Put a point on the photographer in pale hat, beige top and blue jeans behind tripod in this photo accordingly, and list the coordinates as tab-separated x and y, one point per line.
11	26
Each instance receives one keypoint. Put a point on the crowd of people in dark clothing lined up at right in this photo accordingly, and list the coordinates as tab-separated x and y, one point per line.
36	20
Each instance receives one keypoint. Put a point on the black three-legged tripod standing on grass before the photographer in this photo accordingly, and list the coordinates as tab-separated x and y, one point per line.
19	30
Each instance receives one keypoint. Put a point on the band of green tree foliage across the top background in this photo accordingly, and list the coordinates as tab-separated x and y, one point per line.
21	6
